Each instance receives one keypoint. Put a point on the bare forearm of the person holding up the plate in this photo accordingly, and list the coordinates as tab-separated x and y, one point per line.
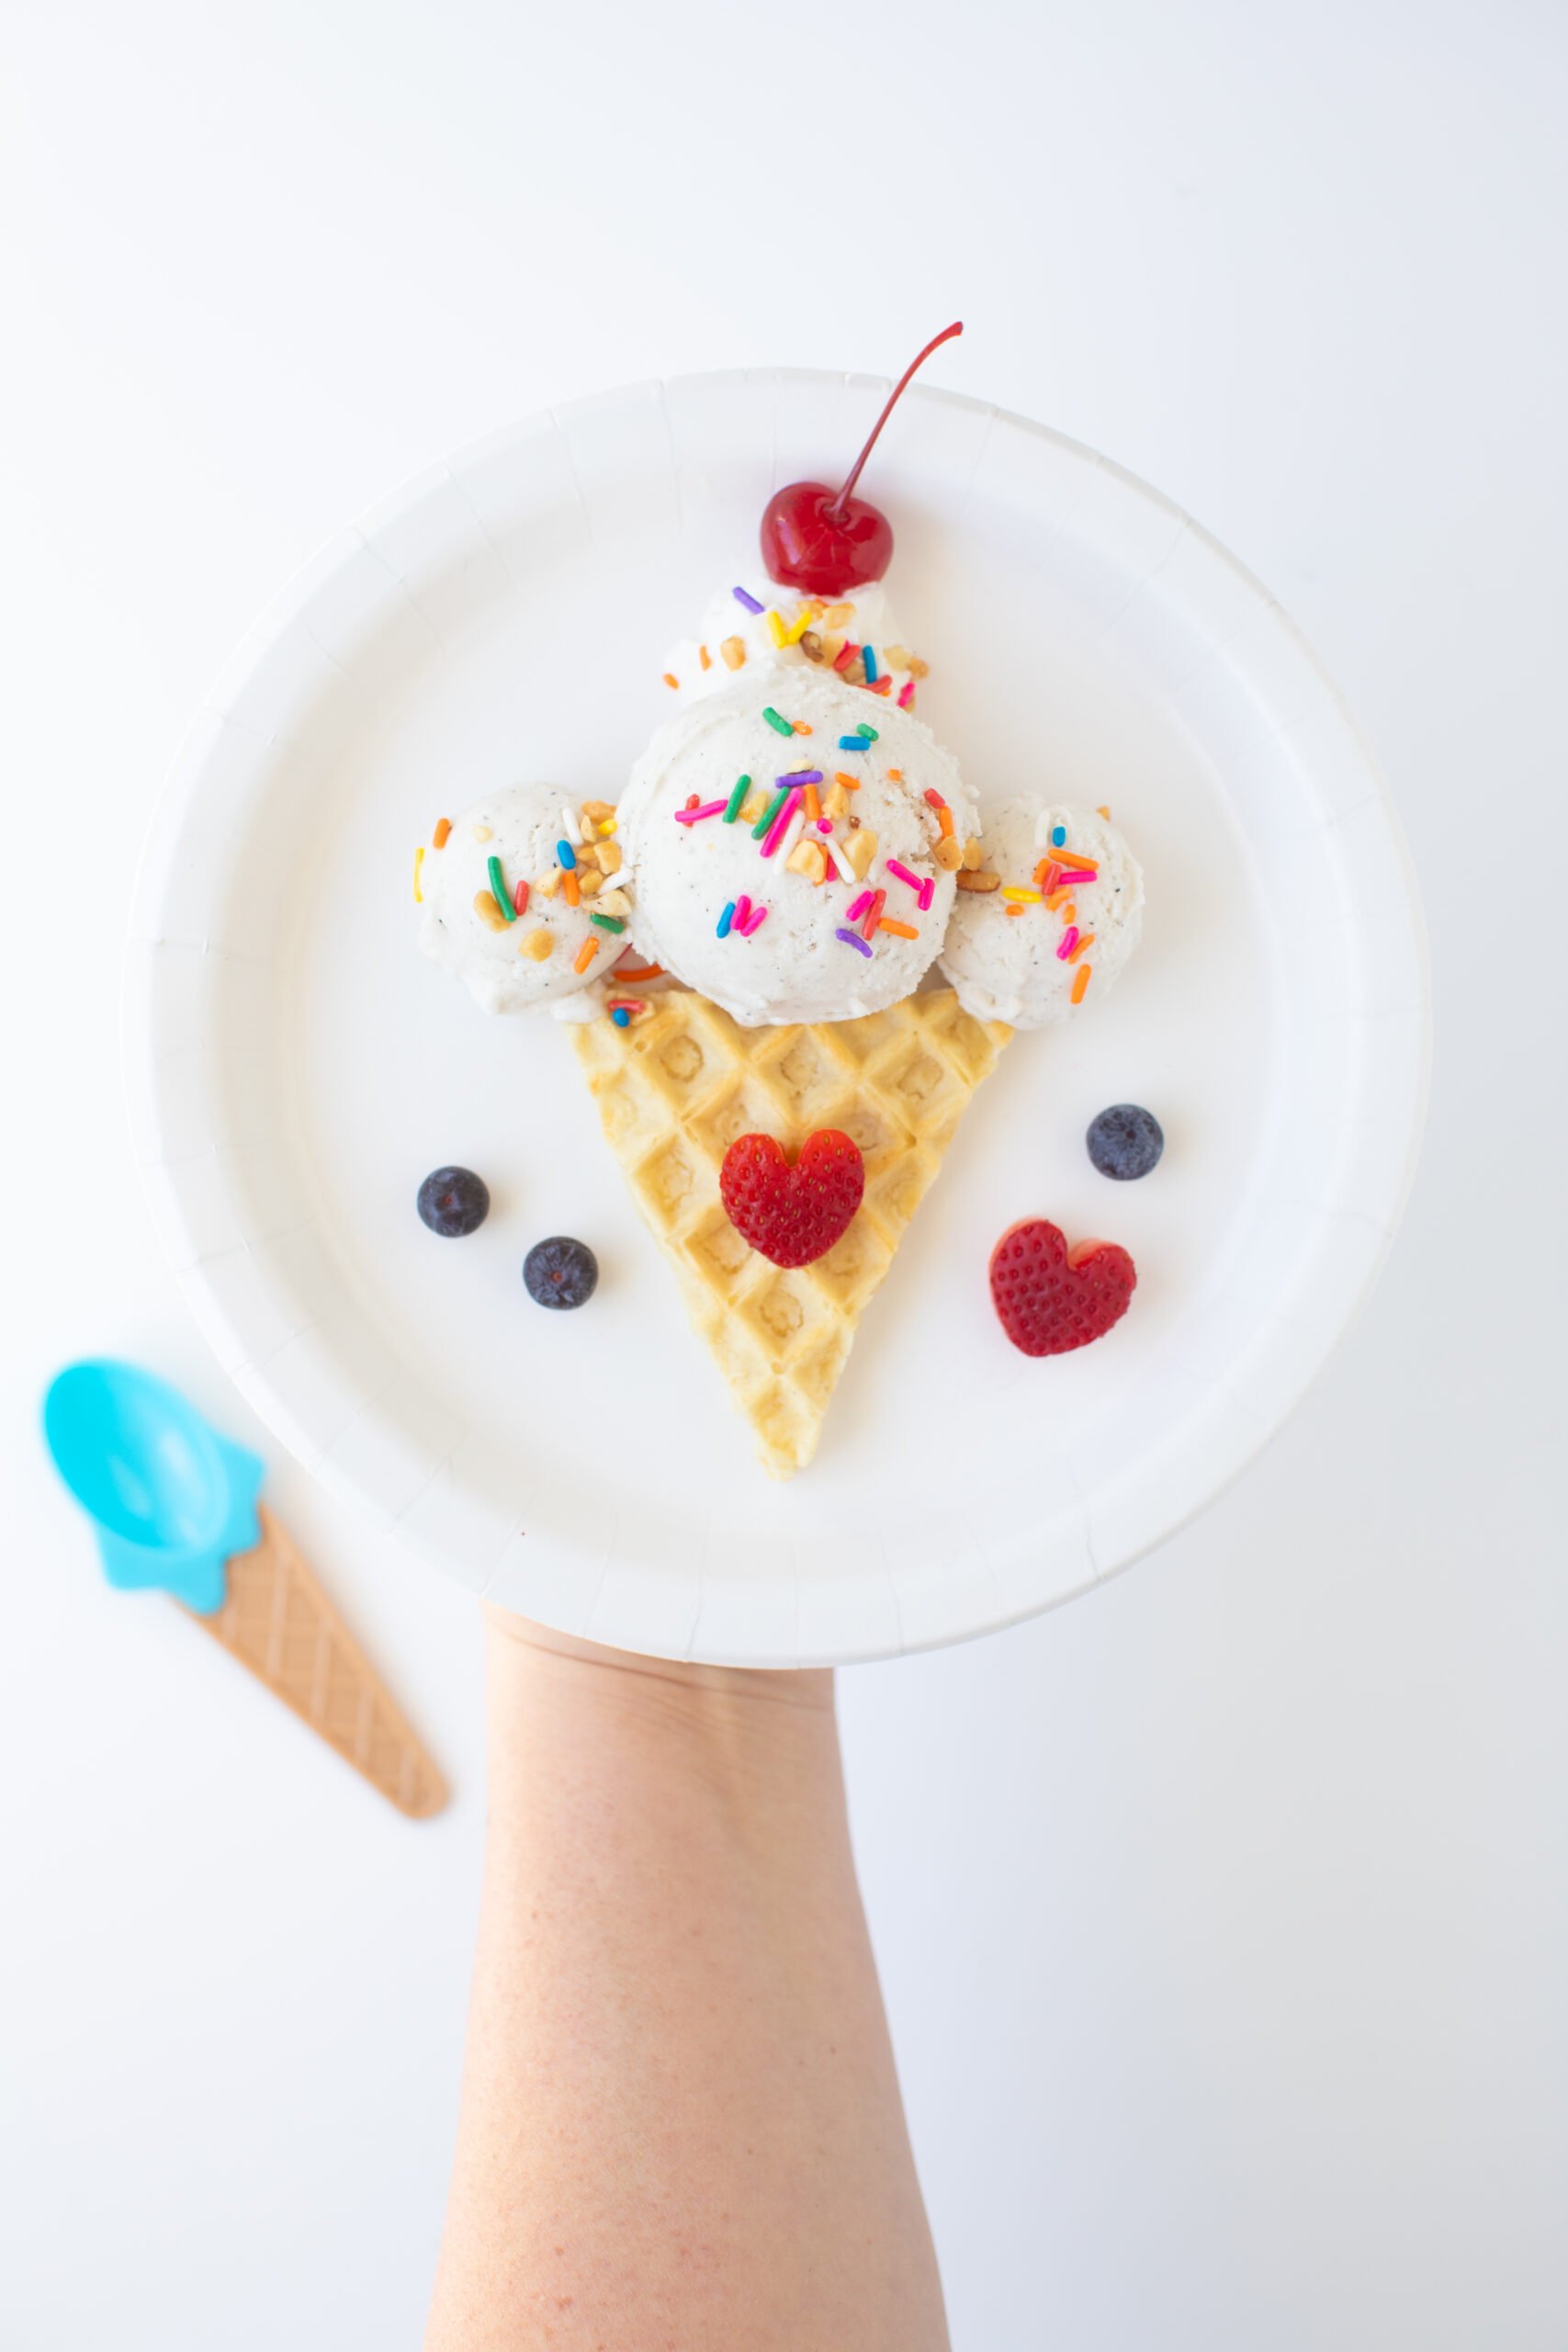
681	2120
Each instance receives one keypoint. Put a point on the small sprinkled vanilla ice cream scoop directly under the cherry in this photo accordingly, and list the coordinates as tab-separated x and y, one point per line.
758	627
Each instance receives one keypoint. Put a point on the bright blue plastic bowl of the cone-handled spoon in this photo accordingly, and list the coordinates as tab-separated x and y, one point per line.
168	1497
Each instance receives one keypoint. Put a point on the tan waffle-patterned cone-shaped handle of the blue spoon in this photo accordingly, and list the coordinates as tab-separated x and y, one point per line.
281	1624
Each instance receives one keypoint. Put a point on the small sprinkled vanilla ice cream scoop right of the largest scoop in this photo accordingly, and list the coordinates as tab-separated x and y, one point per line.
1050	916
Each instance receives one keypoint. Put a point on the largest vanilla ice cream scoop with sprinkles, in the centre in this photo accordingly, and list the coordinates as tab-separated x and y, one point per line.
793	848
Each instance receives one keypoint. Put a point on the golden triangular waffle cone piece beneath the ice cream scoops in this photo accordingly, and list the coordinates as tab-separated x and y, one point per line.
681	1085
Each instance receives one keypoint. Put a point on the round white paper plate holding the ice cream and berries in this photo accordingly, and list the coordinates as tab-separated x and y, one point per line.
295	1067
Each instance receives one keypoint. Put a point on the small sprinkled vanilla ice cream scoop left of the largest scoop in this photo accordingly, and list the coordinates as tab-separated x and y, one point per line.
497	888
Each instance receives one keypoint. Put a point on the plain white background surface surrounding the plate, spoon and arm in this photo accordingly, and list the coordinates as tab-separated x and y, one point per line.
1224	1916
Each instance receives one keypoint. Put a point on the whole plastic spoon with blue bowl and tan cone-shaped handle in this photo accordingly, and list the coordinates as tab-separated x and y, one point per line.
175	1509
